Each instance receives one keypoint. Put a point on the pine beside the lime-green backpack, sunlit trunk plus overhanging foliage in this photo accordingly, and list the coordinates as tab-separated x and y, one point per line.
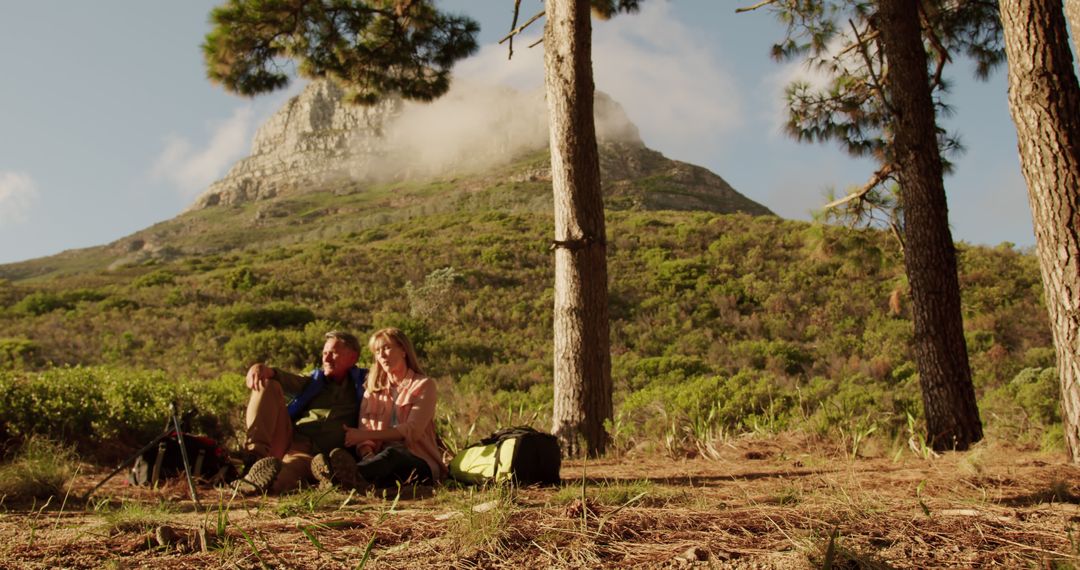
381	48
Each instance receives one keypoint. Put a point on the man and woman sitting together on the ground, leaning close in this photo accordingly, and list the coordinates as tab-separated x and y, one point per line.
346	425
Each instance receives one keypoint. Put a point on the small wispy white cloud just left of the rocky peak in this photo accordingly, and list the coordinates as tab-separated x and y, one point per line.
191	170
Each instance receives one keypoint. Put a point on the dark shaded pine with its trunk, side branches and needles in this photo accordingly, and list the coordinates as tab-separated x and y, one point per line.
883	62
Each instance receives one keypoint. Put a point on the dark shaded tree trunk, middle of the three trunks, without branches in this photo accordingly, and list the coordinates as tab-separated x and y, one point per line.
949	397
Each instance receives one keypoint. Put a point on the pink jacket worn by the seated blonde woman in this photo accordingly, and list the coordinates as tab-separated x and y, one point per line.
416	420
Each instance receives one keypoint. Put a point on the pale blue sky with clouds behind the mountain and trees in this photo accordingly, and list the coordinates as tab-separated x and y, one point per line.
109	125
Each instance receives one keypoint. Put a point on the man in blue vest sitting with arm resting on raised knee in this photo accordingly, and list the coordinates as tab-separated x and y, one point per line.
285	436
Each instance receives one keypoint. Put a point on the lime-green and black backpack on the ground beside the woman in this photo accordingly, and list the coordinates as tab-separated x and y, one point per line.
522	455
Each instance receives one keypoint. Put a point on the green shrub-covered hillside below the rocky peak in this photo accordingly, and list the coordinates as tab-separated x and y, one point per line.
721	323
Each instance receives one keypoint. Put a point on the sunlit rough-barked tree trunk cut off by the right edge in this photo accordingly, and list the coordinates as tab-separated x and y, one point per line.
1045	103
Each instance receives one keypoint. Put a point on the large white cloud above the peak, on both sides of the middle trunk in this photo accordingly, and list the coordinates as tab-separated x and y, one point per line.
683	100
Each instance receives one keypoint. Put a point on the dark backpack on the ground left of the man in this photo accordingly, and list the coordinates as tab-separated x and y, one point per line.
209	462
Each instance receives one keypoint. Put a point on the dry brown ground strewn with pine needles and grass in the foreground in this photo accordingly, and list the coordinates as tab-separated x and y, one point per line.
781	503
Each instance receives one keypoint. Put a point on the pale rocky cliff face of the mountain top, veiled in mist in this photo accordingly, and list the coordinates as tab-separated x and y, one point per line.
317	138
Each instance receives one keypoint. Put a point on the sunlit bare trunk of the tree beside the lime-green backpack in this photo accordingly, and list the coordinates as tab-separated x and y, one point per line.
583	345
